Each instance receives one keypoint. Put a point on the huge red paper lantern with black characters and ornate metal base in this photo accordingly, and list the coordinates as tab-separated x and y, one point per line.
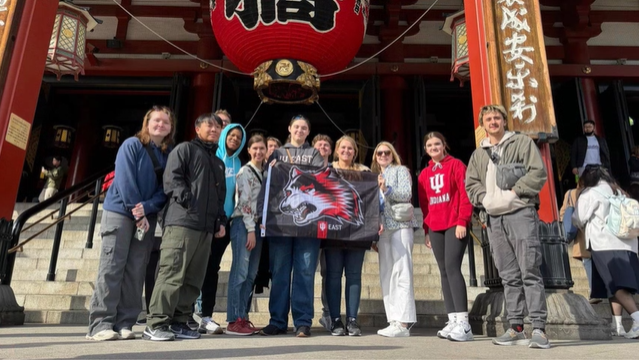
287	43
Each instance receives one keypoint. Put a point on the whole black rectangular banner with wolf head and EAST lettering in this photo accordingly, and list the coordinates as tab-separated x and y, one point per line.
325	203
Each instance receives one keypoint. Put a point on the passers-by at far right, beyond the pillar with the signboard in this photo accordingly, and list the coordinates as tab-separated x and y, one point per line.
610	263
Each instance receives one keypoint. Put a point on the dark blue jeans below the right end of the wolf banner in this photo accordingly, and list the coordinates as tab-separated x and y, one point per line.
348	261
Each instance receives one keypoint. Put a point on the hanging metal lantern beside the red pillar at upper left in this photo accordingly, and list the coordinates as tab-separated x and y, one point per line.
68	40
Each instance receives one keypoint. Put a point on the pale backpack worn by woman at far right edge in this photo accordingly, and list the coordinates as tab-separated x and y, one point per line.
623	218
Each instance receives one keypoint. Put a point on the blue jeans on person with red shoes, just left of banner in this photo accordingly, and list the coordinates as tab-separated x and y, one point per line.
243	270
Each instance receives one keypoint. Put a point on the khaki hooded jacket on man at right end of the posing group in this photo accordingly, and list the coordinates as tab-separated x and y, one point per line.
481	175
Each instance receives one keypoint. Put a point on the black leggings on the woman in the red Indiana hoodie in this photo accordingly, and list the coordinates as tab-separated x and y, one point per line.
449	253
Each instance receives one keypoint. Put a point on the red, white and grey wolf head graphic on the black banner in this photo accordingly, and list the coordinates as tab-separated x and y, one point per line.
312	195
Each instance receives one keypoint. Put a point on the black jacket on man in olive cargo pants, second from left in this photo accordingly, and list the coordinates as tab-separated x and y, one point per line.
194	183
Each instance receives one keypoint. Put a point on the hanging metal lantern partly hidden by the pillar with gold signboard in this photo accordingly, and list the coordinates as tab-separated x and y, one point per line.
455	25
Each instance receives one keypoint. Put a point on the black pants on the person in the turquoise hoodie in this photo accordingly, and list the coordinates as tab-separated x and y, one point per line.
209	288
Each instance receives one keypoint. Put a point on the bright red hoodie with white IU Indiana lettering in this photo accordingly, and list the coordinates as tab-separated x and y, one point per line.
442	195
